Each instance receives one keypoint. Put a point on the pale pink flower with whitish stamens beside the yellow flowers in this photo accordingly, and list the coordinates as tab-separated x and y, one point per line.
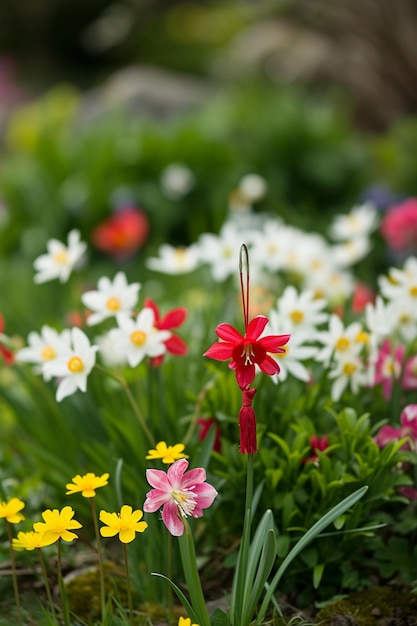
179	494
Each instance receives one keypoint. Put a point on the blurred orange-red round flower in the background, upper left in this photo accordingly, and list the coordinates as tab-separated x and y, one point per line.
123	233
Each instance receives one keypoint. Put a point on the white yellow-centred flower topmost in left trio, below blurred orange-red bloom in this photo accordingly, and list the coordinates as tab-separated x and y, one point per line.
111	298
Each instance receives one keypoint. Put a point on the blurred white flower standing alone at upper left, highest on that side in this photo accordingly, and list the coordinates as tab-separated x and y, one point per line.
60	259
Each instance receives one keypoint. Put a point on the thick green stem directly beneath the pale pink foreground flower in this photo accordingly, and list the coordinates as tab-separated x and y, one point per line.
192	577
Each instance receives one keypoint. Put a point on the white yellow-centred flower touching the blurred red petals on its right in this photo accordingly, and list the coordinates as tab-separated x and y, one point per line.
138	338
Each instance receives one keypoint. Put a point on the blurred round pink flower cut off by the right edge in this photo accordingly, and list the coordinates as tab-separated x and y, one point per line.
399	226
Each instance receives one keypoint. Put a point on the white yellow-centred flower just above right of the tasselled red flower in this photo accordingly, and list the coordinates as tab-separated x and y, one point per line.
299	312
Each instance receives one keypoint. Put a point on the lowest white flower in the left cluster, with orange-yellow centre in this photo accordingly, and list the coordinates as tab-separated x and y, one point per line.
73	365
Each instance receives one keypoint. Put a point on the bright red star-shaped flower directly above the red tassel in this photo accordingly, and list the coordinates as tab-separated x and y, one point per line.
248	350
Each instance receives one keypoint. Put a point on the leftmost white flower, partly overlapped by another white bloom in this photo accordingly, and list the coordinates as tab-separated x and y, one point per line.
43	348
